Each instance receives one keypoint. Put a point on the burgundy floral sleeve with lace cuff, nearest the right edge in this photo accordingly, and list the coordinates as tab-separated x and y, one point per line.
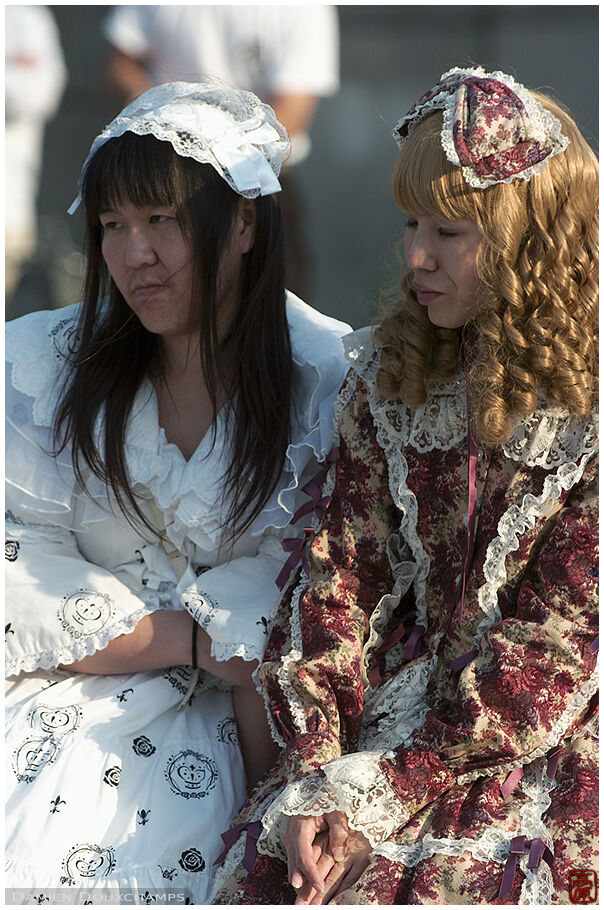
523	692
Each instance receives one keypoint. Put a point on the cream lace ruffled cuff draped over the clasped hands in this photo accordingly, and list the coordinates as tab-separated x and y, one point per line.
352	784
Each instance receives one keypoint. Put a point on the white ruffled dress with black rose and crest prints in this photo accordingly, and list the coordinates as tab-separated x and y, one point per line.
125	783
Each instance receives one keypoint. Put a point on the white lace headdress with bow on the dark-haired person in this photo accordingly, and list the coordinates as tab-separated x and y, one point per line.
229	128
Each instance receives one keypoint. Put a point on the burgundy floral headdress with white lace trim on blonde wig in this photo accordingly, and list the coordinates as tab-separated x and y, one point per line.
493	128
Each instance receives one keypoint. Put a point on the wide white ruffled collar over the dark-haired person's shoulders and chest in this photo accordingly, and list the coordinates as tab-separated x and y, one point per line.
187	492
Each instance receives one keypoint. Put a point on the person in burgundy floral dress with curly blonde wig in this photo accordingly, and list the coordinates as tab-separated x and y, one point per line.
432	669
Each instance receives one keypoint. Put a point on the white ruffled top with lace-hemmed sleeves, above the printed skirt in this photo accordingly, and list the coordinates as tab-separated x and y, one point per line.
80	539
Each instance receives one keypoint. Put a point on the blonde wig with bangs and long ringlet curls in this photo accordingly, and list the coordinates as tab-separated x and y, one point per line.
535	326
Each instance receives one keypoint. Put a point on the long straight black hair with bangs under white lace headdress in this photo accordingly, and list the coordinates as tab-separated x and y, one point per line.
115	352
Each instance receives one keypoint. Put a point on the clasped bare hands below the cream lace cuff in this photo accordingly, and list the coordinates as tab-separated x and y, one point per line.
324	857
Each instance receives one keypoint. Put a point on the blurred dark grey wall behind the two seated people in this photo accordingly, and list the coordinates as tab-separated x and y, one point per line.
390	55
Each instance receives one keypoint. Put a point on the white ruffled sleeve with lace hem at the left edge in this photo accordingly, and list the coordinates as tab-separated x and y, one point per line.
59	606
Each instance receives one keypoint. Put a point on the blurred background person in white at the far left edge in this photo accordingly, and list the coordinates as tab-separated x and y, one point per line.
35	77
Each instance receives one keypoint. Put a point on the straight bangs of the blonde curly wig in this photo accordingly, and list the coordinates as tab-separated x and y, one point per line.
425	183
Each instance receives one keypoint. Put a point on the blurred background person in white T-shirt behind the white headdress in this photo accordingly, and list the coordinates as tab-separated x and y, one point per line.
287	55
